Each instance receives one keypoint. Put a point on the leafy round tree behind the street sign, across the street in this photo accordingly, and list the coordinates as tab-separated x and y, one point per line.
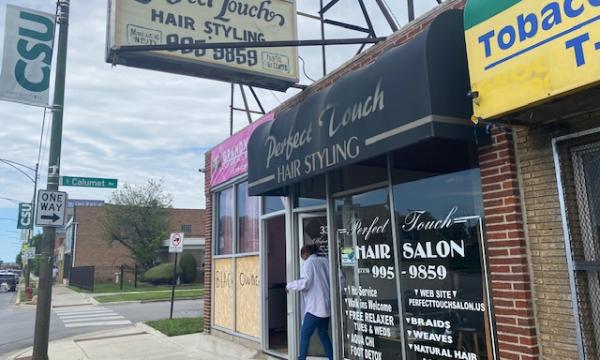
137	218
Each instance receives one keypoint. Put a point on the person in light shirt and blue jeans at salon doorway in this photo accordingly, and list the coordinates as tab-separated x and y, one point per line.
314	287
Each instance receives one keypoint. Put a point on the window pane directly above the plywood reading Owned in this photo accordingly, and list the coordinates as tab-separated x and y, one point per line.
248	213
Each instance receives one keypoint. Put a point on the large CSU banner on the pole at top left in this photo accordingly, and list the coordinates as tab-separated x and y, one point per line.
28	43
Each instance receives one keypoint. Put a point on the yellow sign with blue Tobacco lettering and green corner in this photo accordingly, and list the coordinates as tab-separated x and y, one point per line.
523	52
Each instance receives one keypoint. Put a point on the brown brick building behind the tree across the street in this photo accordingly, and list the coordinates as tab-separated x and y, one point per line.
87	247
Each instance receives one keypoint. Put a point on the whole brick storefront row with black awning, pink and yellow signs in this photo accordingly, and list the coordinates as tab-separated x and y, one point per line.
445	239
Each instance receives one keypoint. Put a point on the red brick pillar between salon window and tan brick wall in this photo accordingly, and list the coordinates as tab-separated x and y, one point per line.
511	284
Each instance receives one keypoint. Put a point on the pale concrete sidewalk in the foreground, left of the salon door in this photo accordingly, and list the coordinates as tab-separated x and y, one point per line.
142	342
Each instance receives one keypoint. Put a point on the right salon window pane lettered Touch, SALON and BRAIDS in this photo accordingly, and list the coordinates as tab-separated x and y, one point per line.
443	283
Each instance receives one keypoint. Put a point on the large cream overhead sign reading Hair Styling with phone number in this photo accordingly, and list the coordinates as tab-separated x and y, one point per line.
176	22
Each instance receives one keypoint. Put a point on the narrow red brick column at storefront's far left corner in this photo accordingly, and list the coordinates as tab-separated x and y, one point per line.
207	245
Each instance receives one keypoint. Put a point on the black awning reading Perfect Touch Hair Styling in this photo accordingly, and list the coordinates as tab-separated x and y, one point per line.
411	93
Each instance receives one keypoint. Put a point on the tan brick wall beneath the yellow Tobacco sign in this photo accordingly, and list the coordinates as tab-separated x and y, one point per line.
545	235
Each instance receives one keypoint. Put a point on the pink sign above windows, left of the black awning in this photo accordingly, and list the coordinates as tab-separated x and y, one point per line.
230	158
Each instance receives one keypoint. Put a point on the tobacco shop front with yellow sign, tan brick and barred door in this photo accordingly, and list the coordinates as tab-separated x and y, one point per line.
535	68
